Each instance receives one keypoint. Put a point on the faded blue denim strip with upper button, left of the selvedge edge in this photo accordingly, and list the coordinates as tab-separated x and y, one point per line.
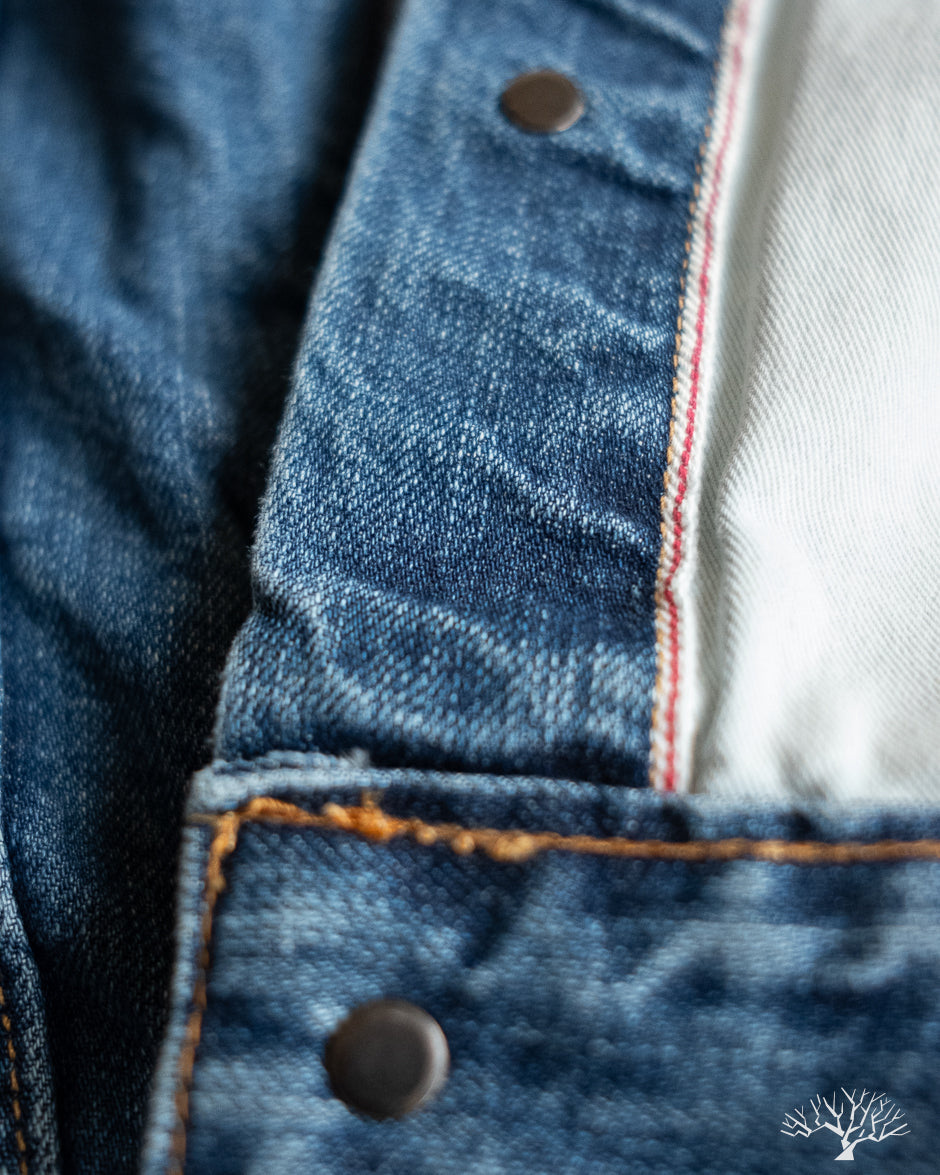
458	552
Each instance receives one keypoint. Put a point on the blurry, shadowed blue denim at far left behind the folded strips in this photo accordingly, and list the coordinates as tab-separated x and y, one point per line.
170	171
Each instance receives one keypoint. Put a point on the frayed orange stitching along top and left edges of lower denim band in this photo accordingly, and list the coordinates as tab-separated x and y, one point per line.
506	845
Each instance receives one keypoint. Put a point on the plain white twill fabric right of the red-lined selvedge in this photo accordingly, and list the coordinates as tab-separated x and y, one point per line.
814	574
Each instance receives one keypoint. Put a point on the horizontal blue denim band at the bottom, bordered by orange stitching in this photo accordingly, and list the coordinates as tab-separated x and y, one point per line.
605	1015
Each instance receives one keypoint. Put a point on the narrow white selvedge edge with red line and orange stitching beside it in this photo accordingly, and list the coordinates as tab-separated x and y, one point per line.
663	775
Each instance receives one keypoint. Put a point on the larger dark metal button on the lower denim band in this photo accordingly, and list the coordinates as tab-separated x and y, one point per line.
387	1059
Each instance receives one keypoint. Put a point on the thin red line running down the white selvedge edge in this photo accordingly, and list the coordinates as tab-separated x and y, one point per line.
669	782
